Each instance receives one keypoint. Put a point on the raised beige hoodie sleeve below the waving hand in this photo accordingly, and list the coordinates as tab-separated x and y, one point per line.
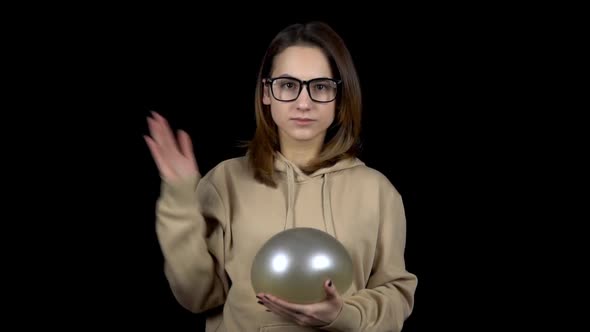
189	225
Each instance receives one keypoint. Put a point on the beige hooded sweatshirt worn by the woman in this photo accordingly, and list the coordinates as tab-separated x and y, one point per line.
211	227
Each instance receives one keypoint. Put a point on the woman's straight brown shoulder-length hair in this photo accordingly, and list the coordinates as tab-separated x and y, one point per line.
342	138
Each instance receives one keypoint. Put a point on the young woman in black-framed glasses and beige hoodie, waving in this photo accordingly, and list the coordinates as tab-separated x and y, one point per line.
301	170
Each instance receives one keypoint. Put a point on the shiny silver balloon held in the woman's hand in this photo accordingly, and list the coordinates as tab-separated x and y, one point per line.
294	264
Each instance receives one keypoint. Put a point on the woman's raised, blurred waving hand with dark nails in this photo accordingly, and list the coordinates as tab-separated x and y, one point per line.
174	155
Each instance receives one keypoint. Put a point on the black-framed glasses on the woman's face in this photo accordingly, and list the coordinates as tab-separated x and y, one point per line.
321	90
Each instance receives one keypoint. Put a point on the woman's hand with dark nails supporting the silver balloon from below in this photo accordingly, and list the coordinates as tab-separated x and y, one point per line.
316	314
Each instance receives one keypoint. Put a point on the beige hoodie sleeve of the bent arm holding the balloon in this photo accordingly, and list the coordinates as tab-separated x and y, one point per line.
388	298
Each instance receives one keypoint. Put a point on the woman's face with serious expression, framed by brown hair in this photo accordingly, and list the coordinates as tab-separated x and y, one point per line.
302	119
